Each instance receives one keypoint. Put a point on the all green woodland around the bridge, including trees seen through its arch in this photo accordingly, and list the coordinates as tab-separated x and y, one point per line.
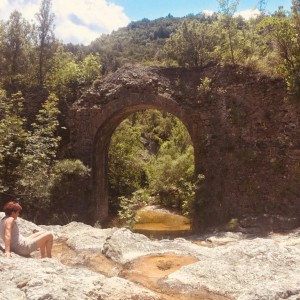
40	78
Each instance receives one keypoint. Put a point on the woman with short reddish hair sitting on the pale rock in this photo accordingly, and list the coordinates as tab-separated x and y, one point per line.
15	242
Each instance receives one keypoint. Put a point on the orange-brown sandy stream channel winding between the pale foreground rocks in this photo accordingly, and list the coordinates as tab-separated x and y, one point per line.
145	271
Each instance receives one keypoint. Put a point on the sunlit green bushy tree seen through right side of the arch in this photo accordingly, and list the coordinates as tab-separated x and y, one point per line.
171	173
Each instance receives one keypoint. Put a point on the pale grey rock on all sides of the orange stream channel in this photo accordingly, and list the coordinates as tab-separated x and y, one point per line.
238	266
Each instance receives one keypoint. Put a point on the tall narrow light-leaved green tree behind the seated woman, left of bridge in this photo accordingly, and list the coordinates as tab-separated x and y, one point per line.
38	156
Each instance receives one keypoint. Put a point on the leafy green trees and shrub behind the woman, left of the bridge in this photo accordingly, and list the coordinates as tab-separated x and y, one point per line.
29	169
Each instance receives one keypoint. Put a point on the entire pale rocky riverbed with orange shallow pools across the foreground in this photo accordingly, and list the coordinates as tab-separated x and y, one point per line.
115	263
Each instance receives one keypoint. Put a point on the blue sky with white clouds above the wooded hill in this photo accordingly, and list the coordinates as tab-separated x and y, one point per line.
82	21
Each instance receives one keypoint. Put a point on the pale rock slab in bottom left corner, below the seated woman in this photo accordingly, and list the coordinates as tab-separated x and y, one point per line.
35	279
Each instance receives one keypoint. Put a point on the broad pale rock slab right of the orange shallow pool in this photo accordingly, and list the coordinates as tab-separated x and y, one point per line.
249	269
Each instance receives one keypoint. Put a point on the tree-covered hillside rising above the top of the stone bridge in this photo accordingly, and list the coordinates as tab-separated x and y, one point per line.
269	43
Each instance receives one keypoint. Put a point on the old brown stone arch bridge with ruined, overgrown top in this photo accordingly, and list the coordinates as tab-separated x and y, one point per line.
244	129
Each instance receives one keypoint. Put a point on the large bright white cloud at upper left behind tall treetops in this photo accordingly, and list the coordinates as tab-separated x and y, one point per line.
76	21
